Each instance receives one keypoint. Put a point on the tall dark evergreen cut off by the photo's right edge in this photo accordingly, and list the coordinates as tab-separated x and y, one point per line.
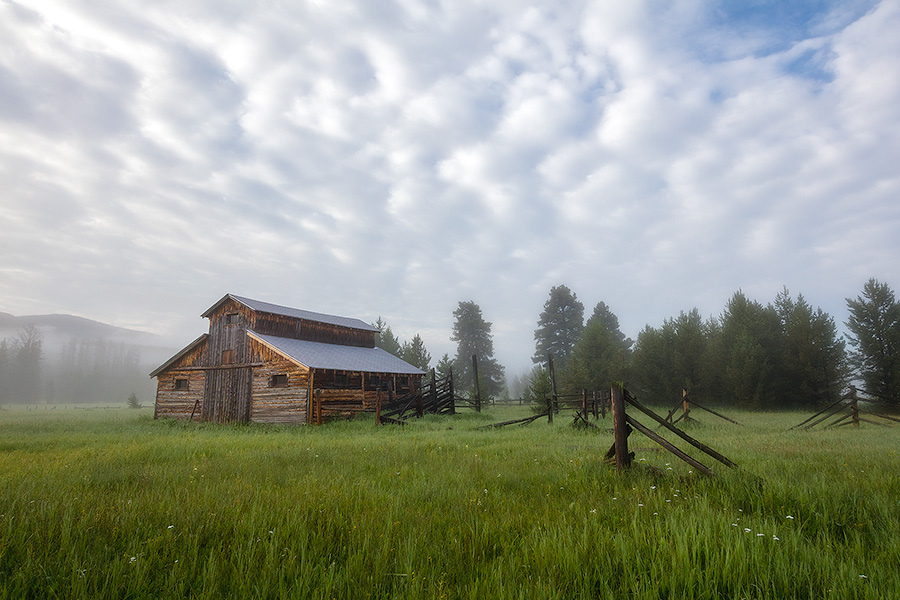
874	325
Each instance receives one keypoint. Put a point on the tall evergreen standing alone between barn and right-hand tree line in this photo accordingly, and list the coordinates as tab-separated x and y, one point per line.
473	337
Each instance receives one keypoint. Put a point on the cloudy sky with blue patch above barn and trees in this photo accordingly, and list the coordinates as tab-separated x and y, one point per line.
393	158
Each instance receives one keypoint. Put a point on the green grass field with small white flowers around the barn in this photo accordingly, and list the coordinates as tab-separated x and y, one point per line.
112	504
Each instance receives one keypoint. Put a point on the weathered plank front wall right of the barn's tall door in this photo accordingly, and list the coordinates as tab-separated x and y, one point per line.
277	404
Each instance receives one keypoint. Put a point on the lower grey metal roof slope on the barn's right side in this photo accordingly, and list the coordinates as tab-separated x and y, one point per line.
317	355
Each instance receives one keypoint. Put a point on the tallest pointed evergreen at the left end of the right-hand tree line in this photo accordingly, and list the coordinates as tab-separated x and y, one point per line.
559	327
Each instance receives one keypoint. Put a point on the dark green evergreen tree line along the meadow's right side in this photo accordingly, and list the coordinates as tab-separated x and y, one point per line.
784	354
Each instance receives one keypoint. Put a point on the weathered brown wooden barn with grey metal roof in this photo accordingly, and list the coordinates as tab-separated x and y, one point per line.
265	363
